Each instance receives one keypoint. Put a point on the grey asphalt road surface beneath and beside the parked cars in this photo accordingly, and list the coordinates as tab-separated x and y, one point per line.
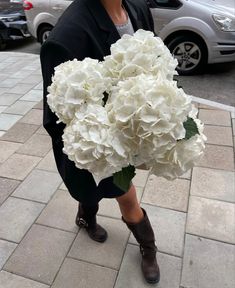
217	83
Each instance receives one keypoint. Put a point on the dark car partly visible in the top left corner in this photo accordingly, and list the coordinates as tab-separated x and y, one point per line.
13	23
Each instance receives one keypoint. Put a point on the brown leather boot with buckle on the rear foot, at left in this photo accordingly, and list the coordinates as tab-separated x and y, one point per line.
86	218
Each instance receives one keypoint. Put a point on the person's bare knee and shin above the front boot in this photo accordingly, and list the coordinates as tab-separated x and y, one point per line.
130	207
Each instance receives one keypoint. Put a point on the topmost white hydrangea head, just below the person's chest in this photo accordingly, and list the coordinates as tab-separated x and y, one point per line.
141	53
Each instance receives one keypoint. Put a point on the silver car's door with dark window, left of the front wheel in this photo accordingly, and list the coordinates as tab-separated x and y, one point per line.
164	11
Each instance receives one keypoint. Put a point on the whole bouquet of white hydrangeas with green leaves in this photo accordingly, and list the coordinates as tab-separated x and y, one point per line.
127	111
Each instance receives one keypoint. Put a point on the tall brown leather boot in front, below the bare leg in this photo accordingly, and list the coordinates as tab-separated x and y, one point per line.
144	235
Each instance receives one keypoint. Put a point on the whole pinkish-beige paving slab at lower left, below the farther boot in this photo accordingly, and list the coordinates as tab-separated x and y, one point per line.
40	254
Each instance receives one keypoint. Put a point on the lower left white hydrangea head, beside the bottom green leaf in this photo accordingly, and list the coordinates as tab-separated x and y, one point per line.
93	144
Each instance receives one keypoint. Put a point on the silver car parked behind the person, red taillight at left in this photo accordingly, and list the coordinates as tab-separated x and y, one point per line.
197	32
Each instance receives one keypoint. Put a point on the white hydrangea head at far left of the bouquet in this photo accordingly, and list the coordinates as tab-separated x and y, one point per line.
75	83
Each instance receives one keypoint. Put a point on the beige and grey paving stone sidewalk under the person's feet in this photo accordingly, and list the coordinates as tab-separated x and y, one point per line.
40	246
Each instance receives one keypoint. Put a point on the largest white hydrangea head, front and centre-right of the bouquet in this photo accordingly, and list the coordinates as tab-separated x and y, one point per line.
142	107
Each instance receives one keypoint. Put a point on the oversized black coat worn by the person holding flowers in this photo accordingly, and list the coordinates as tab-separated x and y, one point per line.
84	30
